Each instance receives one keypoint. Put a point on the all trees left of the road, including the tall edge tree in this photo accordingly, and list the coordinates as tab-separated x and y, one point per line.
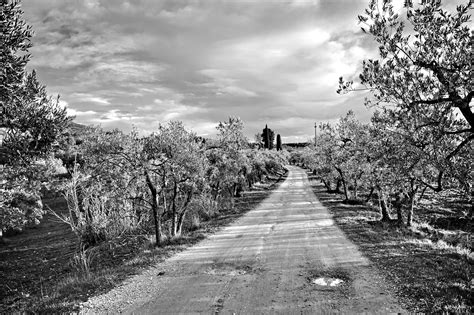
117	180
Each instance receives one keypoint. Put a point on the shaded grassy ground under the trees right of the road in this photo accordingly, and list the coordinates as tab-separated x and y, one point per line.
430	267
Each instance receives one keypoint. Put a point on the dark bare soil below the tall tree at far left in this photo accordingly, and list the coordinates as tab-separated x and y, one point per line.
35	259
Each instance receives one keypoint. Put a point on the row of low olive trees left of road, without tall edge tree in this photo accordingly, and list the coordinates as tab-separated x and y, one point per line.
123	182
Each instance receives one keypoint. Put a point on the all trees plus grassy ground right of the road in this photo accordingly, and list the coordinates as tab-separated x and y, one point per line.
406	178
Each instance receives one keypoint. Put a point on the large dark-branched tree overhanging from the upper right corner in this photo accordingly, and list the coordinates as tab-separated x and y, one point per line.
422	80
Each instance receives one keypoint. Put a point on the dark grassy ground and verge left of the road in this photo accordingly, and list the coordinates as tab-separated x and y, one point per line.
43	271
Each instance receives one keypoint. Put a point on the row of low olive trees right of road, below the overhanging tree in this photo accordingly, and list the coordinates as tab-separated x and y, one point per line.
351	157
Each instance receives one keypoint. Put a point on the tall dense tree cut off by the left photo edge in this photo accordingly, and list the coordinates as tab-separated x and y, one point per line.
31	122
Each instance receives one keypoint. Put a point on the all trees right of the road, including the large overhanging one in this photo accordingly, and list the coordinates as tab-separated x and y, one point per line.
422	135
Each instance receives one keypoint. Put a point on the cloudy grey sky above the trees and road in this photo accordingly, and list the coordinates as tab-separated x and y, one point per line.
141	62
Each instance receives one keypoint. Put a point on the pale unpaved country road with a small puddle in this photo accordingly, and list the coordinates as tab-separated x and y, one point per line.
286	256
